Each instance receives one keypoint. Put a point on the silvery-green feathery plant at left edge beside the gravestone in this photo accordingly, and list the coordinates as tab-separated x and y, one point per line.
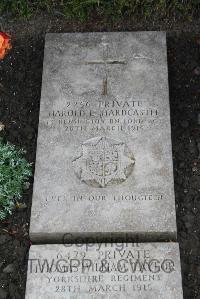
14	174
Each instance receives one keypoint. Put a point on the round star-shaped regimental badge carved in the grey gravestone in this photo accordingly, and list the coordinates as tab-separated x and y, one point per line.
104	162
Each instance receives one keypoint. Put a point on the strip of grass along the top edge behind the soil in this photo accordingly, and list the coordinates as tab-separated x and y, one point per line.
112	9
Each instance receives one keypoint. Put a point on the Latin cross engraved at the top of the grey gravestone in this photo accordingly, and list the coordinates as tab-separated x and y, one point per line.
106	61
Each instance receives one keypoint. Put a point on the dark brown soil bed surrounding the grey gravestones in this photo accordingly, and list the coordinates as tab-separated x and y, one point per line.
20	85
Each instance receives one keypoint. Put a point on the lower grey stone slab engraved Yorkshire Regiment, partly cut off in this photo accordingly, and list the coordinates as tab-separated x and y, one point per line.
101	271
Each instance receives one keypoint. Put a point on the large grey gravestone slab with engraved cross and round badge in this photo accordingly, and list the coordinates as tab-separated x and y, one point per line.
104	162
